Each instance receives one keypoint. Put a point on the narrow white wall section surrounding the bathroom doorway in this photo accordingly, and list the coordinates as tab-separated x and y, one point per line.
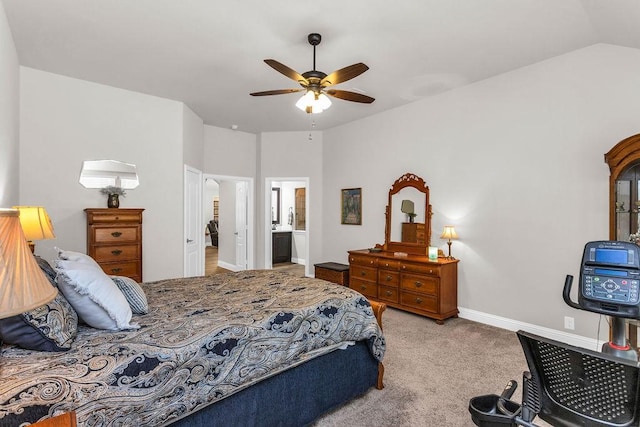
292	154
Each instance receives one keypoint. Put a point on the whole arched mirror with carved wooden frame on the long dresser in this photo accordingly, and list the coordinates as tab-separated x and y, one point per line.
408	216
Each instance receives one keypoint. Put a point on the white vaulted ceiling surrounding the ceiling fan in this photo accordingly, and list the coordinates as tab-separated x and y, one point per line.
209	54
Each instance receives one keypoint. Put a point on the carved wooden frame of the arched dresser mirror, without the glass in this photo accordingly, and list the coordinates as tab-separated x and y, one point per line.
408	180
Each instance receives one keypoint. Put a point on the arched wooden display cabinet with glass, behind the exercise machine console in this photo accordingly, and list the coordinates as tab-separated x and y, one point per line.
624	190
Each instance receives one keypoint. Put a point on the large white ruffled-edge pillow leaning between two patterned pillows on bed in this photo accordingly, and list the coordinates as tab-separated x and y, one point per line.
94	296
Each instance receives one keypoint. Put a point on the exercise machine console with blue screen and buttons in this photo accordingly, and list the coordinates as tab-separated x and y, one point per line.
610	278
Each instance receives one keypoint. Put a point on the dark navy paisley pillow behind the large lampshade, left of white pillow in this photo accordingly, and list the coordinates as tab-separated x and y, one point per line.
50	327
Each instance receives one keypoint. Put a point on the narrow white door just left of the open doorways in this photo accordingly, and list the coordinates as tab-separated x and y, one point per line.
193	228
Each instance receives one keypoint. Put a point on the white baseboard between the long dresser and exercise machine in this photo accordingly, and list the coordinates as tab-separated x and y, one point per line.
515	325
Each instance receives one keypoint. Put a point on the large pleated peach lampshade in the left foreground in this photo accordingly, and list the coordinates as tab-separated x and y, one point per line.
23	285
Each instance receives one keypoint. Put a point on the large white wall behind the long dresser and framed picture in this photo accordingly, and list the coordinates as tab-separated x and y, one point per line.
515	162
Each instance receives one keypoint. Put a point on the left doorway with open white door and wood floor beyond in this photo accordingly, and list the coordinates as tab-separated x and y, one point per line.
228	223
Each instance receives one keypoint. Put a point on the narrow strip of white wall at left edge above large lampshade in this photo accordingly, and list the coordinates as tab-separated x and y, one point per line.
9	115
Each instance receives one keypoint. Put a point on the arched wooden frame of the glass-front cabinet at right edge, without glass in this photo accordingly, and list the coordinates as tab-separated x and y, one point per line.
624	156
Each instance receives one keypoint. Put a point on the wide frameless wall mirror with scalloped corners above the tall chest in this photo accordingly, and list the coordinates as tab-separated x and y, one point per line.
104	173
